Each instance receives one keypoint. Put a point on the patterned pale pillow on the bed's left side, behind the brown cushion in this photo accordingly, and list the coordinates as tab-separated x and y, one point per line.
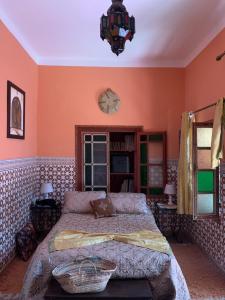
79	202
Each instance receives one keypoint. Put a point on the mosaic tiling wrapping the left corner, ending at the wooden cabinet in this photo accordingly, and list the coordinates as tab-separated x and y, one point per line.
20	182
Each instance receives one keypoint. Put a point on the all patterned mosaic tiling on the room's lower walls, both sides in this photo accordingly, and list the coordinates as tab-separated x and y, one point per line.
20	182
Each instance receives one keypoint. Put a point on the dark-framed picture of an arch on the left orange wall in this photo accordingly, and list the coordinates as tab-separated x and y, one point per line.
15	111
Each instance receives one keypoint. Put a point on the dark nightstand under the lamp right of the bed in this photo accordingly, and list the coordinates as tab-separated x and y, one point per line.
167	219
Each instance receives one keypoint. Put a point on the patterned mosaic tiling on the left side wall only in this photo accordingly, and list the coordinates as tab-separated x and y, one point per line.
18	186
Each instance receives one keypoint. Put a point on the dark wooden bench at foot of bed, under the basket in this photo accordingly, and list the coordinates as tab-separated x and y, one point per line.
116	289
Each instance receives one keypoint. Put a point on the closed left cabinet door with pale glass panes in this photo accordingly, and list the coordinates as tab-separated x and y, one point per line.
95	164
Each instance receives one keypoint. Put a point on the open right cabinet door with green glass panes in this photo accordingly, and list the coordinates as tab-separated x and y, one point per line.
152	164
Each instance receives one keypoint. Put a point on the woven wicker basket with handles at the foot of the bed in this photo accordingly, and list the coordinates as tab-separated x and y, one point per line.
84	275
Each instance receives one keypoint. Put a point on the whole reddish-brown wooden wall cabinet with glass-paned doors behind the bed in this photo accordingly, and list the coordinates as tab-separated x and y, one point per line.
121	159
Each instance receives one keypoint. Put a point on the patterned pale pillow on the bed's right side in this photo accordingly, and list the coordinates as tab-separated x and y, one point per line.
129	203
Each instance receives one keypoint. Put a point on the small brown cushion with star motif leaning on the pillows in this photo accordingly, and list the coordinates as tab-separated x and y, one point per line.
103	208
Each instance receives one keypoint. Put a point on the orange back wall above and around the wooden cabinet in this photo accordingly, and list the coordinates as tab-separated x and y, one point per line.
68	96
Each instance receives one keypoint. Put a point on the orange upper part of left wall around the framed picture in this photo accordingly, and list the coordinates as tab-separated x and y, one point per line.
18	67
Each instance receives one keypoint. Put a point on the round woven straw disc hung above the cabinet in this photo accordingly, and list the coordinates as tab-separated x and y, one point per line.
109	102
